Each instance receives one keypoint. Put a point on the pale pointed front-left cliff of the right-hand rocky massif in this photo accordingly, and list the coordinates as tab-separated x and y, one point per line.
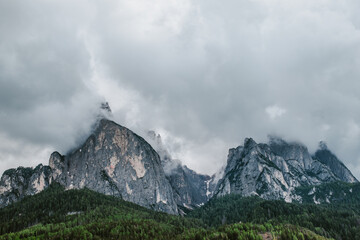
251	170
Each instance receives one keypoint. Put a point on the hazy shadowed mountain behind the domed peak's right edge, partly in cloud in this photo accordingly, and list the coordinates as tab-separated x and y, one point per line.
190	189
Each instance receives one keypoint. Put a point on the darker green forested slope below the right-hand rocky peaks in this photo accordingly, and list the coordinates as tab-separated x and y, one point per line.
339	220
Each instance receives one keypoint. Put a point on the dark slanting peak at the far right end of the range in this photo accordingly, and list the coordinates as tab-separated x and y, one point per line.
325	156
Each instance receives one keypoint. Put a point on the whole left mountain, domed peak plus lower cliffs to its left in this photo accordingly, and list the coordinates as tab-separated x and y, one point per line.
113	161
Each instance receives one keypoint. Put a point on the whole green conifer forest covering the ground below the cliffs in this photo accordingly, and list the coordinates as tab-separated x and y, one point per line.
85	214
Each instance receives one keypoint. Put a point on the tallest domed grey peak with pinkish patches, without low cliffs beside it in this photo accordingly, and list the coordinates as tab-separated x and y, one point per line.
120	163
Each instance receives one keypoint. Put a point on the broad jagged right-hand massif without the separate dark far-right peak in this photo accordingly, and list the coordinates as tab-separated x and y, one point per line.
272	171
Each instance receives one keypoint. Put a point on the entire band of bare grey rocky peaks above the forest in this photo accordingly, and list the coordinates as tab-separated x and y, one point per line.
115	161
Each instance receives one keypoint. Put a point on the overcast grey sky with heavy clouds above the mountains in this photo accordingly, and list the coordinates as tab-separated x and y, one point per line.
205	74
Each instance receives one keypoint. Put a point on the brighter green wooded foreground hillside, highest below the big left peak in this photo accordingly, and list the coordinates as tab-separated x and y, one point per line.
84	214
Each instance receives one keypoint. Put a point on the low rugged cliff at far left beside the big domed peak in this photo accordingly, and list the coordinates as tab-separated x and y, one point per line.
15	184
